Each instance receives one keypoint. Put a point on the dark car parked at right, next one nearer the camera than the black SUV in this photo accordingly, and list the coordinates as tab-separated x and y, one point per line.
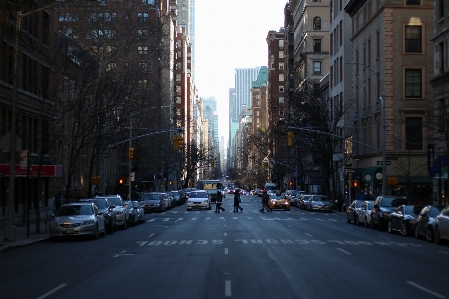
404	219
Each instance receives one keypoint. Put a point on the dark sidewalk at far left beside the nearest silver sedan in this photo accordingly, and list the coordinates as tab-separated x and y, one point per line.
21	236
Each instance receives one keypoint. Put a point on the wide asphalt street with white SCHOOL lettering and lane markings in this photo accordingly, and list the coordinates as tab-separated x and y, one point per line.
203	254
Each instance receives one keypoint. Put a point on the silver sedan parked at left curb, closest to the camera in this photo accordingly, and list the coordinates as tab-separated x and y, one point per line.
77	219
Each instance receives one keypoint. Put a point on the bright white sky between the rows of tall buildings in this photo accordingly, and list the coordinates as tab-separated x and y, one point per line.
231	34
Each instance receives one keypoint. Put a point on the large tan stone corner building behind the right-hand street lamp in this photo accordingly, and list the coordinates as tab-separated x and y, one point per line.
392	56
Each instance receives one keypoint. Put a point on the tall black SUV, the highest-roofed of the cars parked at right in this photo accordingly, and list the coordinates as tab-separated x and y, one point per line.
383	207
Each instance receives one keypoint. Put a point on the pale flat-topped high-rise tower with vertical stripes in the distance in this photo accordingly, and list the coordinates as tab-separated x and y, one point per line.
243	83
